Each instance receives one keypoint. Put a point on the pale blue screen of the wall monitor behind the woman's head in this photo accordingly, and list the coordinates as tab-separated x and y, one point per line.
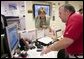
36	7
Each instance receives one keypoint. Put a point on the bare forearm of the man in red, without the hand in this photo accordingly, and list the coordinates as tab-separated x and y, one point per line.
61	44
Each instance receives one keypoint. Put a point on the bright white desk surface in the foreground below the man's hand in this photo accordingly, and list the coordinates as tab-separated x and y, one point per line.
34	54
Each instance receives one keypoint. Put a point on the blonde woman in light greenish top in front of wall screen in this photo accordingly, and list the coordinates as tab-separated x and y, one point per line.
42	20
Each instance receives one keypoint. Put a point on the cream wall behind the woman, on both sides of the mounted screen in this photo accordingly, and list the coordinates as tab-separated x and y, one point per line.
30	23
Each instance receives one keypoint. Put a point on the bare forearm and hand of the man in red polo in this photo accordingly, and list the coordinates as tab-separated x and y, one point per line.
61	44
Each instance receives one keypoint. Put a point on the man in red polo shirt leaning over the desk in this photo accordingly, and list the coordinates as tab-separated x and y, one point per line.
72	40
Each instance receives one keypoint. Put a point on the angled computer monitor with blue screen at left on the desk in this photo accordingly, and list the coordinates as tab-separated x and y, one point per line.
12	38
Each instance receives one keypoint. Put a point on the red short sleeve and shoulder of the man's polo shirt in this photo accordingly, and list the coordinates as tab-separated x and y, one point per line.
74	28
